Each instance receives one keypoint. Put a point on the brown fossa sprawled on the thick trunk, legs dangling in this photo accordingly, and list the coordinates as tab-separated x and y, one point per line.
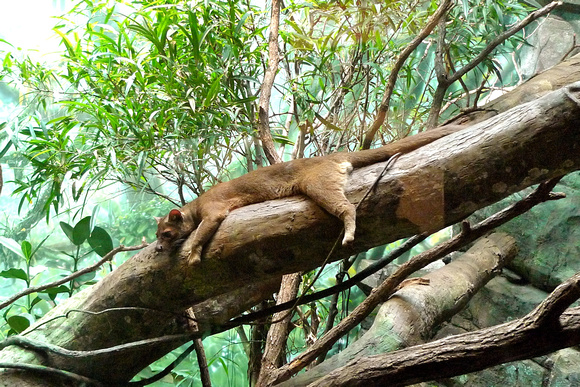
322	179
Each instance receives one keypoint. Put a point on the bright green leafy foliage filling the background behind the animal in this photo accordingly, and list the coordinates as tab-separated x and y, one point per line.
149	103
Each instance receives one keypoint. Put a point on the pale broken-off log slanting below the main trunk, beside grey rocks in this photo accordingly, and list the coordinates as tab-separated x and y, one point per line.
411	314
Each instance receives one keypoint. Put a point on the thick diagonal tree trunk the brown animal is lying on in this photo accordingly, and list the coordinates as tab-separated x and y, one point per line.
448	180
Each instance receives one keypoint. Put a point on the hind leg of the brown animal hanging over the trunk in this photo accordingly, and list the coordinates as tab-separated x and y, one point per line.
328	192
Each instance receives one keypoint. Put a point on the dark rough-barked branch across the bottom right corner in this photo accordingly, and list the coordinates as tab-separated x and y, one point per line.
528	337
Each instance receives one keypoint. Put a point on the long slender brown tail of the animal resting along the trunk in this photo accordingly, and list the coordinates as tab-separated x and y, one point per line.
405	145
